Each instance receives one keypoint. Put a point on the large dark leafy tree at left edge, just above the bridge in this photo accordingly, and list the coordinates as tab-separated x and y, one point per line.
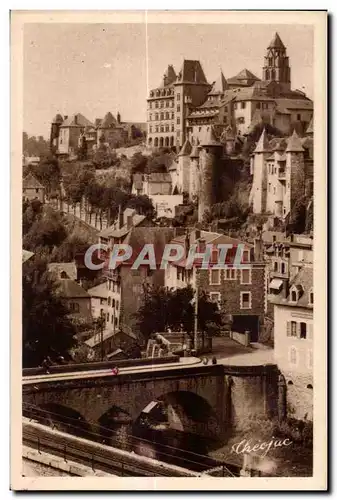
47	328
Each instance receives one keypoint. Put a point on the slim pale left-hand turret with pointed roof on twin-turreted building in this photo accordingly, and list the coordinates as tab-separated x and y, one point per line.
258	193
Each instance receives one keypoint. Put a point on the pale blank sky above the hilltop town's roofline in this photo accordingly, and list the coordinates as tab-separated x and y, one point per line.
96	68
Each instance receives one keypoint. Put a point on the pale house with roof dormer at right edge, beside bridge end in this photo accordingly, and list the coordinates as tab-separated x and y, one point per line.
293	336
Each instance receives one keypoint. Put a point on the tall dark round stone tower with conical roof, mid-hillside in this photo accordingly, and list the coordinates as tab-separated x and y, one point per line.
210	155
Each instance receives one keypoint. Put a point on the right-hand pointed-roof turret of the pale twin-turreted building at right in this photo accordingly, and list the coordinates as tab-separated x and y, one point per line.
295	172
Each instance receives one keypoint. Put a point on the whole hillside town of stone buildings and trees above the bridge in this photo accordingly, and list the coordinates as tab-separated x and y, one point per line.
227	162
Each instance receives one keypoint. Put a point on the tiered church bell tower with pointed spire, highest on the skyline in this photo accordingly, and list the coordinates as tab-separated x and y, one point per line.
276	64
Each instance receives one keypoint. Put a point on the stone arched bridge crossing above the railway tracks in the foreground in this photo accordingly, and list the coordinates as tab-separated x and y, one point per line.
206	400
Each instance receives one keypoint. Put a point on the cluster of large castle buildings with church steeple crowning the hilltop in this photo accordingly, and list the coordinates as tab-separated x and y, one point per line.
185	103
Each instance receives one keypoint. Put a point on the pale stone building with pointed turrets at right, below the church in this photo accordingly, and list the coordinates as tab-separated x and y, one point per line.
282	172
